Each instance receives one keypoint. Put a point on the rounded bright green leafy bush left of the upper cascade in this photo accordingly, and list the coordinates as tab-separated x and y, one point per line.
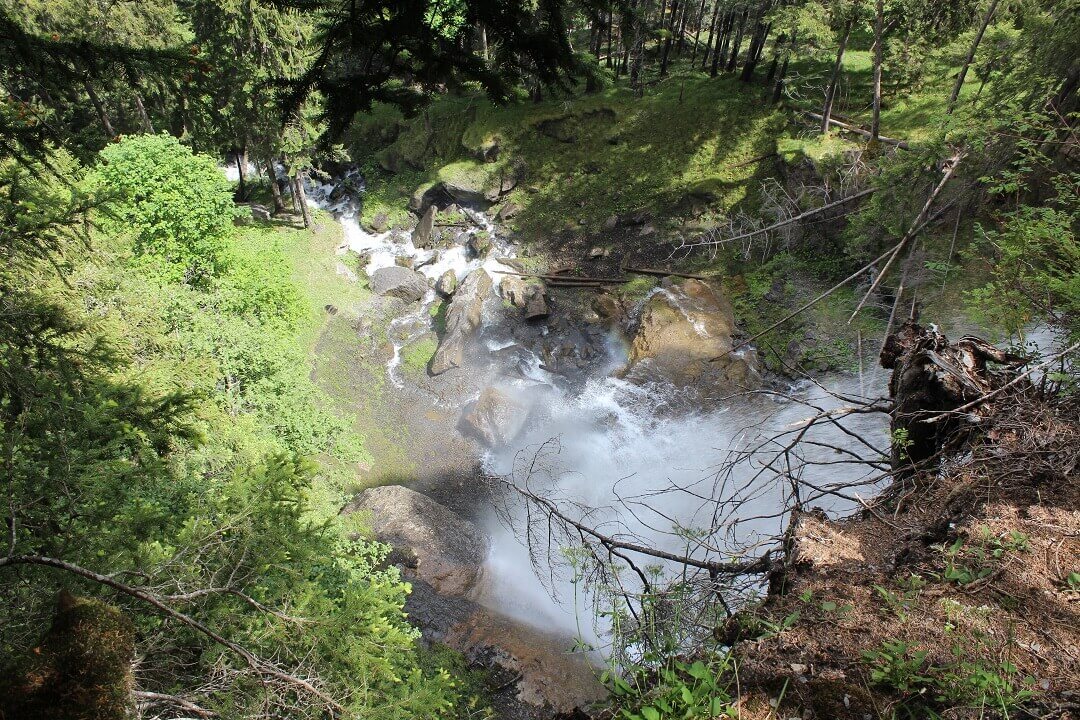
175	206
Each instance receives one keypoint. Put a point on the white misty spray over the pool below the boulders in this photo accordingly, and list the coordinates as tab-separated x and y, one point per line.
620	449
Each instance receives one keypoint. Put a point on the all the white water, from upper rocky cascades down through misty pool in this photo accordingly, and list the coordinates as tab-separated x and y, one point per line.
632	452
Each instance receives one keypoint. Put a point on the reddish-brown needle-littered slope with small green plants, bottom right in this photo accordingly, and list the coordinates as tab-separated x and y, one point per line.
954	596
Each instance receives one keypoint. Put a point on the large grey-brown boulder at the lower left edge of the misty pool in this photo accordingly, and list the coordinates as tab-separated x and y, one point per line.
442	549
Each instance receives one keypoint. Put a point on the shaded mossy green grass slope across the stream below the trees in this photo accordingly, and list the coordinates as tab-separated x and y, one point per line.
589	158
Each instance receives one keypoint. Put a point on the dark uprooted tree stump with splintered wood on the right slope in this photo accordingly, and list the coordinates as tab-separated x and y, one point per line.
931	379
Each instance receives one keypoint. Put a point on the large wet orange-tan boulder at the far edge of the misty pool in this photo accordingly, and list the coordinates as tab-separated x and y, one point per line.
684	336
